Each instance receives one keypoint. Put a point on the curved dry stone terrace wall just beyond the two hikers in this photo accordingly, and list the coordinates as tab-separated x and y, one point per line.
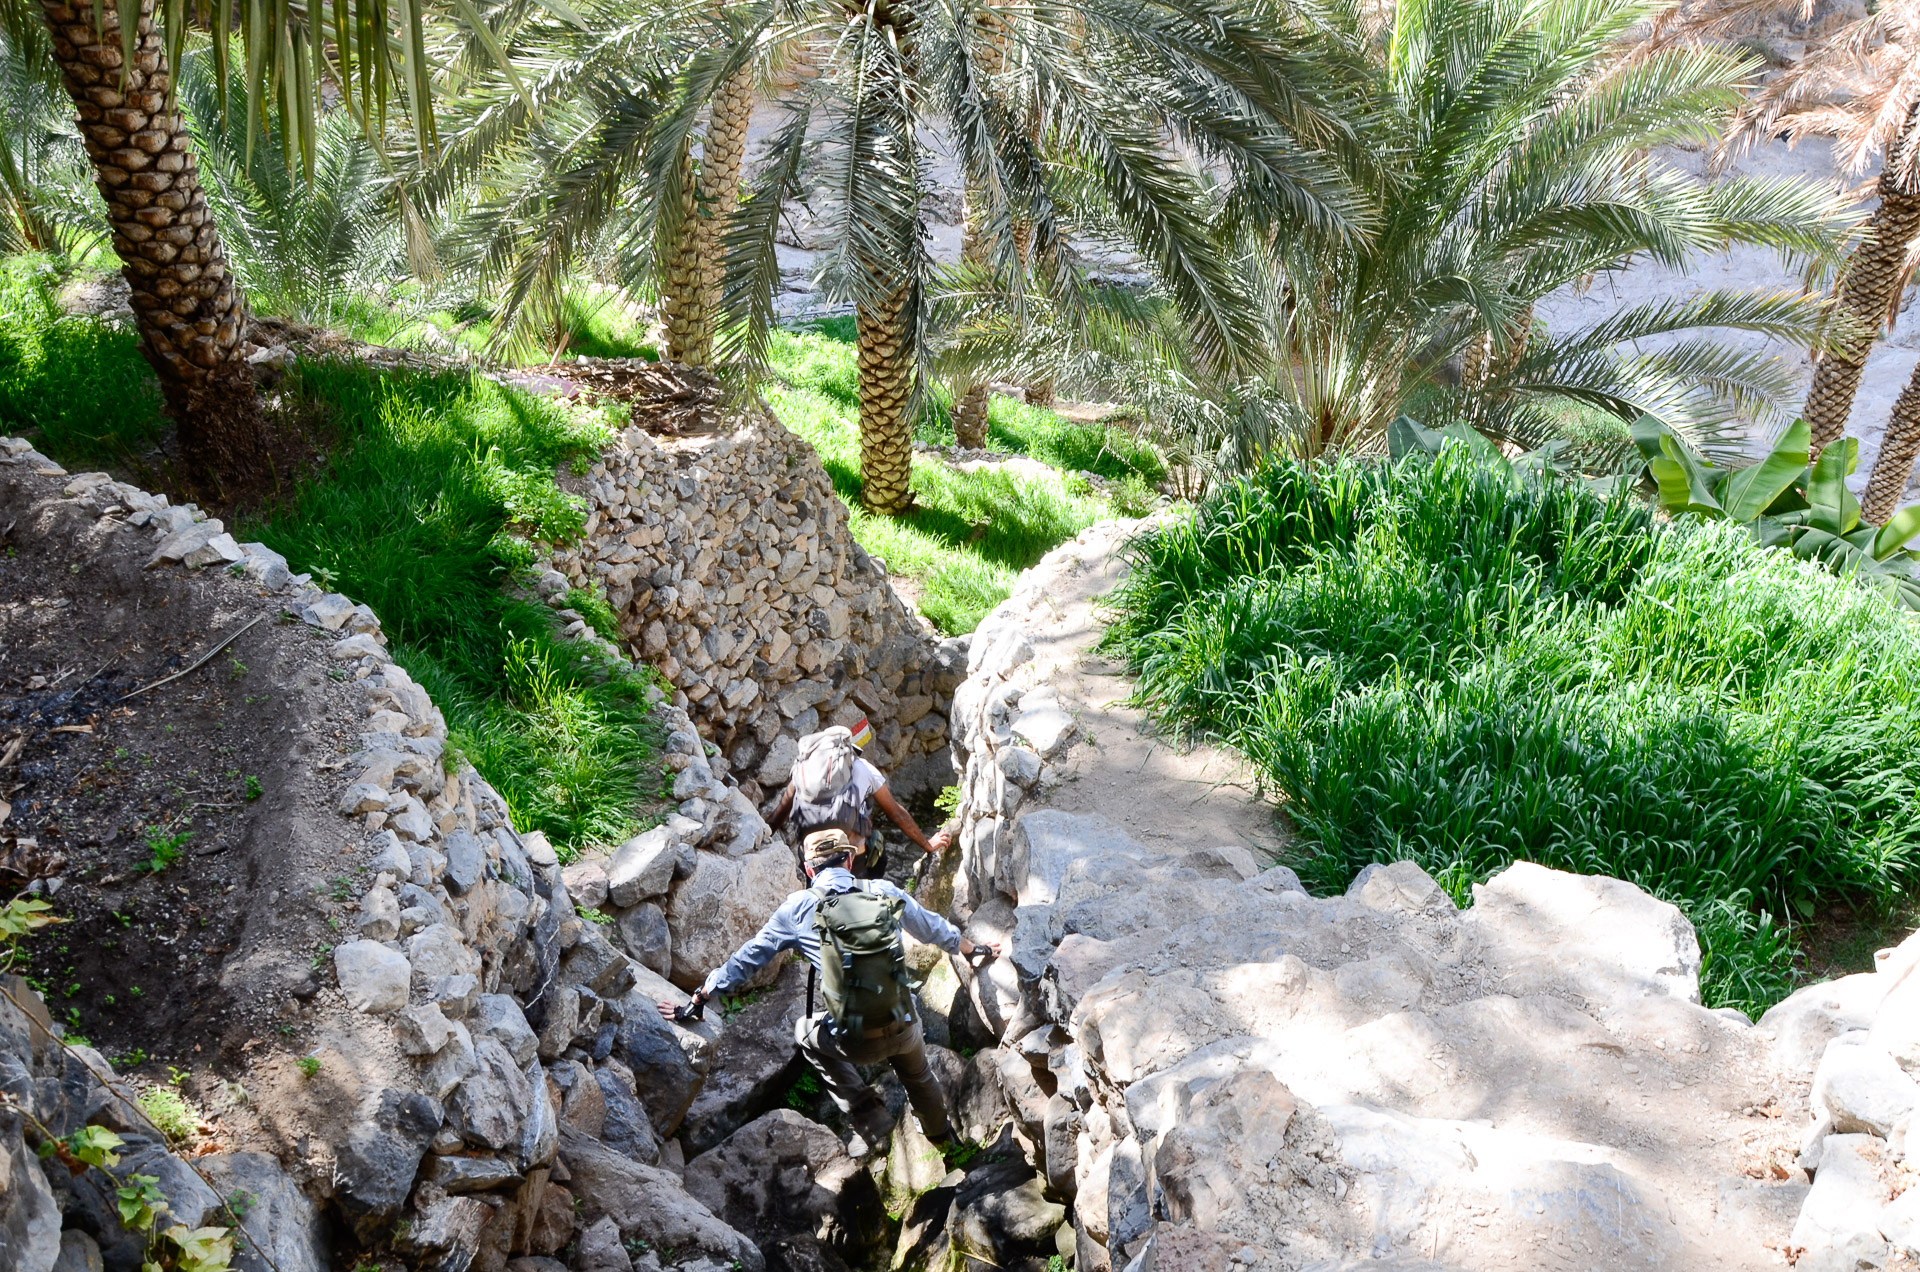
729	564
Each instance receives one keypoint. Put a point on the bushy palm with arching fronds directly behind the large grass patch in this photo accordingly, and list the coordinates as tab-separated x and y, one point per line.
1514	159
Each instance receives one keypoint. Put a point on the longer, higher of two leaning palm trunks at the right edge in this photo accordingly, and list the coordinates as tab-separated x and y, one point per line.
1869	291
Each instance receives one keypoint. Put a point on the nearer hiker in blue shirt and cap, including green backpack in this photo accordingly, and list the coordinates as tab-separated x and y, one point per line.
850	931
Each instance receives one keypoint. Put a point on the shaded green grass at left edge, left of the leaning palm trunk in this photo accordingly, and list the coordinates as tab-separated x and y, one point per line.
74	385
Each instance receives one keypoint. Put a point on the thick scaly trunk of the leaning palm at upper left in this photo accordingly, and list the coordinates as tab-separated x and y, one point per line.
187	308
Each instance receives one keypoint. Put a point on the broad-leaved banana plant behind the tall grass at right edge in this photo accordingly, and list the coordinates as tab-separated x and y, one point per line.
1788	502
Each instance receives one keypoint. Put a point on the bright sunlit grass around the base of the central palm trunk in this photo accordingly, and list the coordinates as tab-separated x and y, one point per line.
974	531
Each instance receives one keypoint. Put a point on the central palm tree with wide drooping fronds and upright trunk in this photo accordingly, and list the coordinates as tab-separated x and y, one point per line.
1245	87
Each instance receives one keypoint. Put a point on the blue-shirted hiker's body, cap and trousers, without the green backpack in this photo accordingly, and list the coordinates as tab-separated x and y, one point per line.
832	1048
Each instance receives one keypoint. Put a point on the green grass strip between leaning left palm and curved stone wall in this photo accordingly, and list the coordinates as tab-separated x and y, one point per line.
425	506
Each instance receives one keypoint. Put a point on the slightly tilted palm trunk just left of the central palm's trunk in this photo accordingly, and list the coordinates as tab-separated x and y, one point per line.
698	266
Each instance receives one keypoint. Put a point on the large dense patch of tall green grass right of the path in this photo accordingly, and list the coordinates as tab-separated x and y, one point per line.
1445	664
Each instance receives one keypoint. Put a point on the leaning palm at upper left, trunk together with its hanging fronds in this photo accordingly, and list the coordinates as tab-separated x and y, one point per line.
116	62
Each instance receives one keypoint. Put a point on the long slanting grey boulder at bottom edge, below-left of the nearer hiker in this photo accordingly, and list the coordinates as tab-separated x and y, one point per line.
650	1204
